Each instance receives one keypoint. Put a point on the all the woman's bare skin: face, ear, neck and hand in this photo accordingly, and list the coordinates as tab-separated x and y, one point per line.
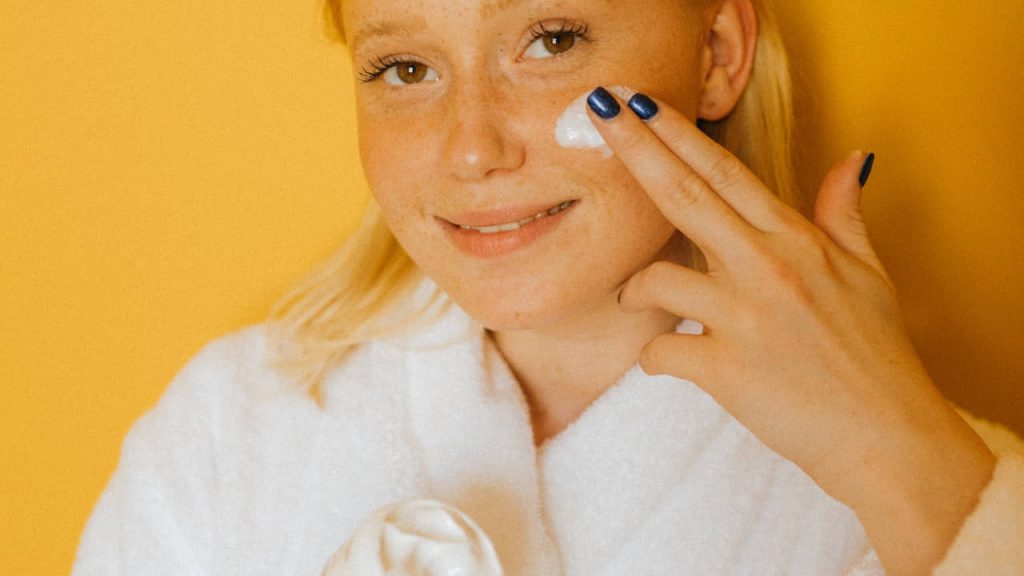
804	344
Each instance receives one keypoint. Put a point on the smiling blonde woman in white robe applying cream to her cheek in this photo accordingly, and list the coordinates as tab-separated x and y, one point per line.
785	427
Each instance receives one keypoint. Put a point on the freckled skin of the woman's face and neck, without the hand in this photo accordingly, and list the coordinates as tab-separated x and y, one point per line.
482	139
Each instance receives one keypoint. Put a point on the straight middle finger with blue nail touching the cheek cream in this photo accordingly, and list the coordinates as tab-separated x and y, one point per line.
682	196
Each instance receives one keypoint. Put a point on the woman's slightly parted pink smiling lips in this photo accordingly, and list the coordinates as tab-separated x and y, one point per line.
496	245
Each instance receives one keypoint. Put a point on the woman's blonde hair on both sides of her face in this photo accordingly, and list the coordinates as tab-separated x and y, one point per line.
363	293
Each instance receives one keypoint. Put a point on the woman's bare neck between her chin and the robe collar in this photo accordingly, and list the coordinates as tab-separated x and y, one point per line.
564	369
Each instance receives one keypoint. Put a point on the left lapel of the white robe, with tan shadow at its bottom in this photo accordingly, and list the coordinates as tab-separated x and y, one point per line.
471	426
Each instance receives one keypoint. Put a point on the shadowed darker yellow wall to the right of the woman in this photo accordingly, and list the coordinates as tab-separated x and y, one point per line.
935	90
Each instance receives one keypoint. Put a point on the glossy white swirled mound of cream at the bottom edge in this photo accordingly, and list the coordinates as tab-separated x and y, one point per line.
417	538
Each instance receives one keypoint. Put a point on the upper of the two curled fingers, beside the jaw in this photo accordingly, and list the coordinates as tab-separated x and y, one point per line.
674	289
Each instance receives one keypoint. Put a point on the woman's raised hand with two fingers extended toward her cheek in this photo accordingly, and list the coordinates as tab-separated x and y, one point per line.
803	340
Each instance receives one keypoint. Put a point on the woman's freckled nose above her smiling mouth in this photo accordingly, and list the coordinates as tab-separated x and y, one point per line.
481	142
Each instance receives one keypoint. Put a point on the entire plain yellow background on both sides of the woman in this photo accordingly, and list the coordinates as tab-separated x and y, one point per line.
168	169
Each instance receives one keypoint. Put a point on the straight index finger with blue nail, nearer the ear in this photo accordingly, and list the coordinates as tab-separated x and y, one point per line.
740	187
